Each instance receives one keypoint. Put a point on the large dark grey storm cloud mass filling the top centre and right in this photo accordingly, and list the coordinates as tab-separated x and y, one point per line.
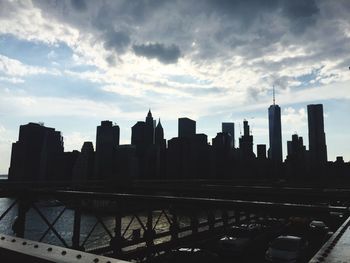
209	30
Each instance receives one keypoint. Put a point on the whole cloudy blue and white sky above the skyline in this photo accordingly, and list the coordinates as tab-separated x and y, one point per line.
72	64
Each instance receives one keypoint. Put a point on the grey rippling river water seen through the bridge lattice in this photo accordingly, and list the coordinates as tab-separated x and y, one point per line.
35	226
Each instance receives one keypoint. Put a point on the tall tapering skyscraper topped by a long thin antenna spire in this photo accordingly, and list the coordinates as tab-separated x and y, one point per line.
275	131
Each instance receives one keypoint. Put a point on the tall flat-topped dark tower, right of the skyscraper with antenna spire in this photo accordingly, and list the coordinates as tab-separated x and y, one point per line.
317	137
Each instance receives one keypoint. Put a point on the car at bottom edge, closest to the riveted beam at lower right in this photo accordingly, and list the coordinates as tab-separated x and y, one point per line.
289	249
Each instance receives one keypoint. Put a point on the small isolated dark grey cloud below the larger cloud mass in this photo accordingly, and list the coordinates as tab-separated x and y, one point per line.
165	54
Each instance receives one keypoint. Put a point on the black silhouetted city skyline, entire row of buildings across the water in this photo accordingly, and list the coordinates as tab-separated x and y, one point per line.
39	155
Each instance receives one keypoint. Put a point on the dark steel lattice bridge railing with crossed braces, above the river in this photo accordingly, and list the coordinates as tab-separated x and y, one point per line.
137	225
